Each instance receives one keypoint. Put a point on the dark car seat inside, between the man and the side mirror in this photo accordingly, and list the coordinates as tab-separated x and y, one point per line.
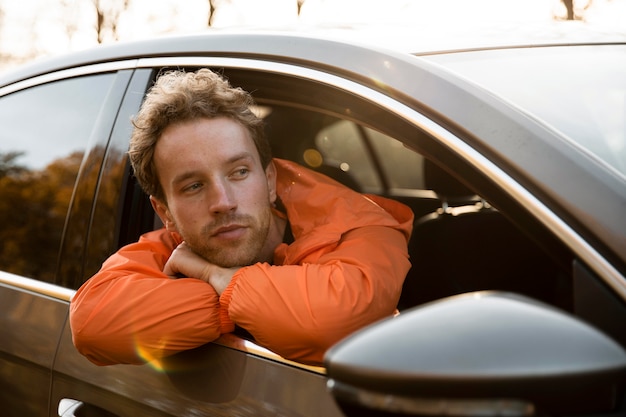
467	245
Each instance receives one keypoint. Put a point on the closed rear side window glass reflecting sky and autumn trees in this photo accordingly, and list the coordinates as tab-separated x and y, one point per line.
44	134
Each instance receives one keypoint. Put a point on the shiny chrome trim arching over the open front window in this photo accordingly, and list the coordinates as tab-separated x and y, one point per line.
446	140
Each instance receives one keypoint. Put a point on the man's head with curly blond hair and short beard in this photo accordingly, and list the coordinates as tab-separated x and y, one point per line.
200	153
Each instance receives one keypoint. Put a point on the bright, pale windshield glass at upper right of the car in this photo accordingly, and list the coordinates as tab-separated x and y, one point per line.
578	90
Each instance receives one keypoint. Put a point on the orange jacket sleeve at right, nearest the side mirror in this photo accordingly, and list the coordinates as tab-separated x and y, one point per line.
299	311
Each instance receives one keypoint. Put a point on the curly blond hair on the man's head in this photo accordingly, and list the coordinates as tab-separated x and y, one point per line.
179	96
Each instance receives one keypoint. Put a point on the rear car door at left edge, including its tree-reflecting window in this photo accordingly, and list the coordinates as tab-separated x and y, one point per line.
52	128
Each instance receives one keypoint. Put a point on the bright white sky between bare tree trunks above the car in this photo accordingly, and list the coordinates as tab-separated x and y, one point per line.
35	28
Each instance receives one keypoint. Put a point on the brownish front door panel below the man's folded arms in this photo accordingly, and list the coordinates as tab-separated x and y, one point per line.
211	380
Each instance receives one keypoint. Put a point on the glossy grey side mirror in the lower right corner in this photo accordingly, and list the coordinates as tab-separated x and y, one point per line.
478	354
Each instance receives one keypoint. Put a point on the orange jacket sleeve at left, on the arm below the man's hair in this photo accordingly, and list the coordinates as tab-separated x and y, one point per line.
130	312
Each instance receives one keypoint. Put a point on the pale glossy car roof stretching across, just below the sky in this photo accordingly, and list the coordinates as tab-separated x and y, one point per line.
322	44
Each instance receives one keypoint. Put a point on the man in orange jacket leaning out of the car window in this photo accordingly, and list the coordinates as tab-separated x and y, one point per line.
291	256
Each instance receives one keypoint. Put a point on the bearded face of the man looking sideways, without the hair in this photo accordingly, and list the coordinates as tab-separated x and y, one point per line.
219	197
